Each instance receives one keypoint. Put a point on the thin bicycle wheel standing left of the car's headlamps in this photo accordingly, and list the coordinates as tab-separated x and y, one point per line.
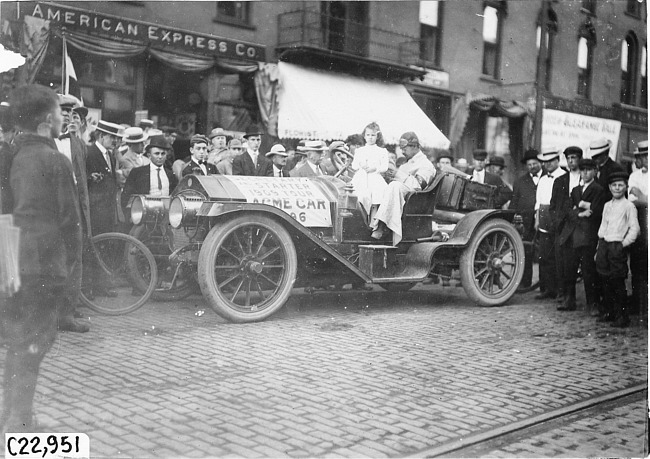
130	270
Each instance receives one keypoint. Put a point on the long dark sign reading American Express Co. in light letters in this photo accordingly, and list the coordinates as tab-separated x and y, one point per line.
156	35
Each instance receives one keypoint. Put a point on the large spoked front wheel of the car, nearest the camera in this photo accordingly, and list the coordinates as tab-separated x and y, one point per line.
240	261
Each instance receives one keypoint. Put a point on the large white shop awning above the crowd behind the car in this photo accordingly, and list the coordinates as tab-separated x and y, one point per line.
320	105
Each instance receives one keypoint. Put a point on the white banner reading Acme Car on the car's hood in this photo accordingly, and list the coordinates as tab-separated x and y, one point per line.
298	197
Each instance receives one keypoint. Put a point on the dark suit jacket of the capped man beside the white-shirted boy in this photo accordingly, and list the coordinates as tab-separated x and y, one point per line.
584	230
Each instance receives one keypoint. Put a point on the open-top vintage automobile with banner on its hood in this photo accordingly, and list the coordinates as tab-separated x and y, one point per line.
248	241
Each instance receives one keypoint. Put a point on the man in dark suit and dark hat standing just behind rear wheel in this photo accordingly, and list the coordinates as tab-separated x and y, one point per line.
523	201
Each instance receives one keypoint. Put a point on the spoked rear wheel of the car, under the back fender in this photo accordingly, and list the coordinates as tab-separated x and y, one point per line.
492	265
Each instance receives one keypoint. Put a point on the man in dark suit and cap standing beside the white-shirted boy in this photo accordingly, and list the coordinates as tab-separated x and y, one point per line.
580	233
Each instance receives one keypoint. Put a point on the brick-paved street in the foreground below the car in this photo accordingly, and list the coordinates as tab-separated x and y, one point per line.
335	374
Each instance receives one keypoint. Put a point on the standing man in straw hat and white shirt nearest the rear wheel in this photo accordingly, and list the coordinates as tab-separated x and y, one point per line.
548	281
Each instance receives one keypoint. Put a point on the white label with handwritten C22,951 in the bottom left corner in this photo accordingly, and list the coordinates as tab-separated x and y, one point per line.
47	445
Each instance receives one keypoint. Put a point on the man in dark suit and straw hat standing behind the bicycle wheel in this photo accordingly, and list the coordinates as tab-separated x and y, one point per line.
102	182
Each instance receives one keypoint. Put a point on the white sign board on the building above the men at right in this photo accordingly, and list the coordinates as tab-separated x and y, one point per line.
563	129
